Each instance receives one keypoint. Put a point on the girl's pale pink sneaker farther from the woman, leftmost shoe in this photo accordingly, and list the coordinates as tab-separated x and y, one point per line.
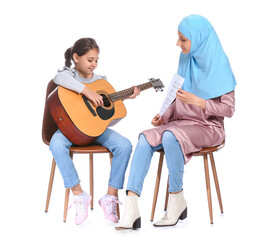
82	203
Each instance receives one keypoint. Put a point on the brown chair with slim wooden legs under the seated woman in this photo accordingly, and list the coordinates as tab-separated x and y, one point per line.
203	152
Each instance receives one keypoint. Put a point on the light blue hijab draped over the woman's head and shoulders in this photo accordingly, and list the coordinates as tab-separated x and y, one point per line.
206	68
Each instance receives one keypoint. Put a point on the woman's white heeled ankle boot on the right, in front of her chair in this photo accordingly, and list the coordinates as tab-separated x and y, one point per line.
177	209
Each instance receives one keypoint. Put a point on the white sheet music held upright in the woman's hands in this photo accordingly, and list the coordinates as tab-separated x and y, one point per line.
176	83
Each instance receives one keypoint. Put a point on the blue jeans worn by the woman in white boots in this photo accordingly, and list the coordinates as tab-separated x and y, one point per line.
142	158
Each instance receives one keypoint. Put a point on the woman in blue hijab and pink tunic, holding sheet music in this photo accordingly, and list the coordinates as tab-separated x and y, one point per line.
193	121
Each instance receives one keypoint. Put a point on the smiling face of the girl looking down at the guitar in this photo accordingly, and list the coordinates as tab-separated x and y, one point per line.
86	64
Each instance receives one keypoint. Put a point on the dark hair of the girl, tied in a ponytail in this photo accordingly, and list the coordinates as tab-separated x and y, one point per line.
81	47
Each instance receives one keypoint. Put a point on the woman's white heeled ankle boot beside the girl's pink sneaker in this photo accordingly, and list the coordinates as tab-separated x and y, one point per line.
131	216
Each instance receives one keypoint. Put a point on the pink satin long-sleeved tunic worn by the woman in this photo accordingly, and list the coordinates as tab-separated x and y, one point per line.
193	127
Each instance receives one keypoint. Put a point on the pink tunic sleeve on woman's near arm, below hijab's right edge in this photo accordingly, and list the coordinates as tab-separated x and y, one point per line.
222	106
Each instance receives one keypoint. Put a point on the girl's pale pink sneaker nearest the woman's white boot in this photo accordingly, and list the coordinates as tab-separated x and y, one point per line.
109	204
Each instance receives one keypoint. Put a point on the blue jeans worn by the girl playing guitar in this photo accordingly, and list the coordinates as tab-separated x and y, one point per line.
120	147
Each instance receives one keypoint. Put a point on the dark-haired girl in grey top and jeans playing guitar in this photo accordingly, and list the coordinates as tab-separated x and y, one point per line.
85	54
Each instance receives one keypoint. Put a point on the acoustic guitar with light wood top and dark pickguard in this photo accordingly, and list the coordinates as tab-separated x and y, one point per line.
77	117
